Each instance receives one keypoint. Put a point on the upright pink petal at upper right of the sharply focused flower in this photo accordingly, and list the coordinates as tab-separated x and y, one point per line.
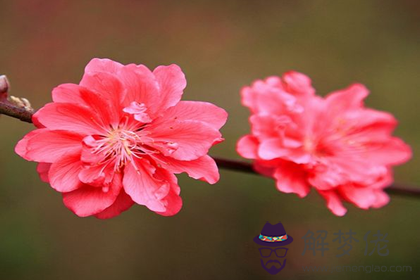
171	82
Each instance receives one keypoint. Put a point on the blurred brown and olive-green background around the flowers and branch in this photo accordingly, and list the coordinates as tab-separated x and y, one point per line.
221	46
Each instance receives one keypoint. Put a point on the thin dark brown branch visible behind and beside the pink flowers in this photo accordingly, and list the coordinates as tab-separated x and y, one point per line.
25	114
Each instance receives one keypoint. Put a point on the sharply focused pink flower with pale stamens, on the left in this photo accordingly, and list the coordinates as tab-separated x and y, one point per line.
119	137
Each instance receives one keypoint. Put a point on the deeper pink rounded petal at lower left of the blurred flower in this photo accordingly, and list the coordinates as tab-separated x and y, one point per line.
291	178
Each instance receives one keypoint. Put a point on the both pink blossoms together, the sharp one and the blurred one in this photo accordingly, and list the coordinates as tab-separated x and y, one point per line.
119	137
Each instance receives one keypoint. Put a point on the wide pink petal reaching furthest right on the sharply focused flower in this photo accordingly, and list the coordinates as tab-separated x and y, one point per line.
207	113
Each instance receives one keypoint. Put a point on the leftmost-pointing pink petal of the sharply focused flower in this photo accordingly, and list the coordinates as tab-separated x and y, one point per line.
44	145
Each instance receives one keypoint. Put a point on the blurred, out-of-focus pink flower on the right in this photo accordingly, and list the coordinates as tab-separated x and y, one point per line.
335	144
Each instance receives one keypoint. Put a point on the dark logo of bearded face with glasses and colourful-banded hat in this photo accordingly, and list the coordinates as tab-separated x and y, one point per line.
272	247
